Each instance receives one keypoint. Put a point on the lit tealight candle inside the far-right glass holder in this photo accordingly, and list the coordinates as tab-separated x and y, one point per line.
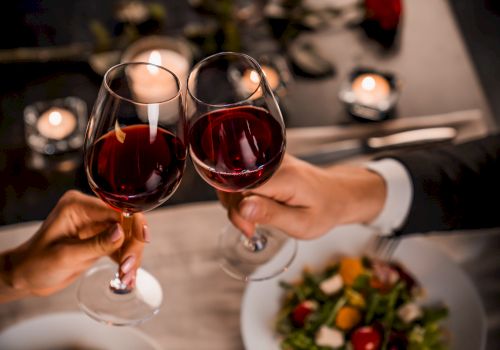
371	89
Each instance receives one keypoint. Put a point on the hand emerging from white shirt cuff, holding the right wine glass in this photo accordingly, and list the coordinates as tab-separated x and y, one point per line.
306	201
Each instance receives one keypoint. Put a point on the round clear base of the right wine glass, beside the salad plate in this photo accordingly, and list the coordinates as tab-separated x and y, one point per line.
241	262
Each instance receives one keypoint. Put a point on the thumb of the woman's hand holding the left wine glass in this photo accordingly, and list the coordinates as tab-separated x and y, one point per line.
100	245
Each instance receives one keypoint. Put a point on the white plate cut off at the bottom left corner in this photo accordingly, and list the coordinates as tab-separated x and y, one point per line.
72	330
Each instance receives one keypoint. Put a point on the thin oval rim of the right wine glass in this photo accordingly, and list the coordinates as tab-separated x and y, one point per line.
262	79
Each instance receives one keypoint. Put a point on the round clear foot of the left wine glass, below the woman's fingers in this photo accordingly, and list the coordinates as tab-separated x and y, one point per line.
100	302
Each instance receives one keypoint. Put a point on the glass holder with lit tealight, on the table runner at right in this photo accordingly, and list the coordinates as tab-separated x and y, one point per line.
370	95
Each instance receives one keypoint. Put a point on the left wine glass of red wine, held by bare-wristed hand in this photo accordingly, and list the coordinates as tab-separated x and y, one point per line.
135	155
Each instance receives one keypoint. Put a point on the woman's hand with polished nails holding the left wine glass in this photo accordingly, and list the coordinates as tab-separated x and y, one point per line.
78	231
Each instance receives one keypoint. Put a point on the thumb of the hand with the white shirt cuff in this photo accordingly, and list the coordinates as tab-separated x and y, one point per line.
262	210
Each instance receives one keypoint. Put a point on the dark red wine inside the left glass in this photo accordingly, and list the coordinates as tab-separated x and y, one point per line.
137	172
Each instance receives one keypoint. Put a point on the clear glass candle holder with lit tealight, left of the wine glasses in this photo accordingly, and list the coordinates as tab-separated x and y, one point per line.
56	126
